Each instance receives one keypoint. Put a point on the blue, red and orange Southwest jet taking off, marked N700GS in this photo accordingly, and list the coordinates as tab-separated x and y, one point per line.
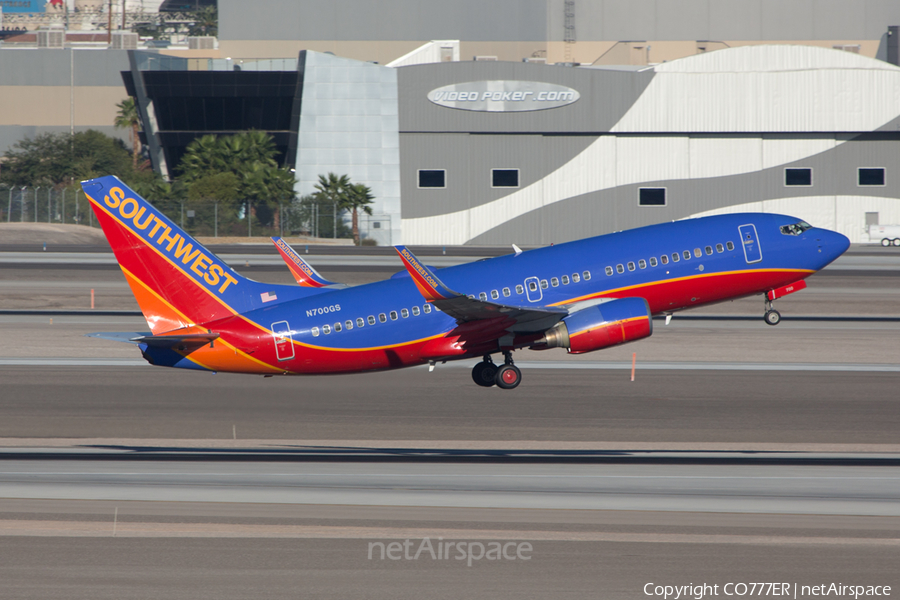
581	296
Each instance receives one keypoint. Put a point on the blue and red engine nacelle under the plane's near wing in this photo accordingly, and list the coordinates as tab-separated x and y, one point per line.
601	326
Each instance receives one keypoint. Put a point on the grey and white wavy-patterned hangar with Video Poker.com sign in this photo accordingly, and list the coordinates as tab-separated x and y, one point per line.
801	130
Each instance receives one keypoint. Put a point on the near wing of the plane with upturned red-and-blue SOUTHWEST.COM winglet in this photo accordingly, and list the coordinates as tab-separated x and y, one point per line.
465	309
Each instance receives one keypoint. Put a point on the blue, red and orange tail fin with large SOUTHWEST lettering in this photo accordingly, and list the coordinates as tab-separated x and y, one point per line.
177	282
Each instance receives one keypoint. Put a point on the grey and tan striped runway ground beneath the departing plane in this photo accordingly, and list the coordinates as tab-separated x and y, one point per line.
741	452
